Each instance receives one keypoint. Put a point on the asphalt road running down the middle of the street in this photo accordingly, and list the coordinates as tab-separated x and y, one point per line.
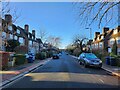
66	73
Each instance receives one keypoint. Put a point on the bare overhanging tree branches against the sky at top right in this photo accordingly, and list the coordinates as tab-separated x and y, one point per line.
97	11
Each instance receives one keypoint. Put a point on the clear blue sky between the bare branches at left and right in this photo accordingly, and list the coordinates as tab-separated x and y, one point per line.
58	19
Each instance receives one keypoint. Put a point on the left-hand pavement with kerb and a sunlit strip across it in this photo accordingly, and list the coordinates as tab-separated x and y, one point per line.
16	72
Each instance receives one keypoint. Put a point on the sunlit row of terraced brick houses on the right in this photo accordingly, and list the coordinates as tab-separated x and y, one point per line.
106	39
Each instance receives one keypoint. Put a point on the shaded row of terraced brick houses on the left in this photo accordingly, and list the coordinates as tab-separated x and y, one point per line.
26	38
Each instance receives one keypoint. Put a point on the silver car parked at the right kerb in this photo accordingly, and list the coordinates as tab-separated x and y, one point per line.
89	59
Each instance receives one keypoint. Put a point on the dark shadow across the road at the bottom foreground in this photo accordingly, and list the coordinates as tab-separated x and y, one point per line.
32	83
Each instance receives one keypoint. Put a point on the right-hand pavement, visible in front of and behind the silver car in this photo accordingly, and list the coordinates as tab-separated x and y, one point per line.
113	70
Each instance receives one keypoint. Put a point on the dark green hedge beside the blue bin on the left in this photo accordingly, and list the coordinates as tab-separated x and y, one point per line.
19	59
